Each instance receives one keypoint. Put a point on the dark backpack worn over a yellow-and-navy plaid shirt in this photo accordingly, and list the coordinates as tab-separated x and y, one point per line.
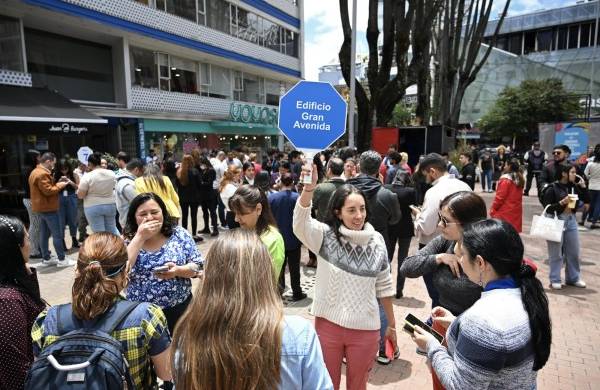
83	358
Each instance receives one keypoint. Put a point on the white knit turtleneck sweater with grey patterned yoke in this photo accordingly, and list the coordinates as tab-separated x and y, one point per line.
350	276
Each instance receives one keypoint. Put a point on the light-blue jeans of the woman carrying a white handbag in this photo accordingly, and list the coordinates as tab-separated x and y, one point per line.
566	251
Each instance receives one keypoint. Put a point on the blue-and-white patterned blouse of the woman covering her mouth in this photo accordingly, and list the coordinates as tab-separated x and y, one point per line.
144	286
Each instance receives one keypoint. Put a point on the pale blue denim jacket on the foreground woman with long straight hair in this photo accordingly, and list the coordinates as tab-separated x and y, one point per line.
302	365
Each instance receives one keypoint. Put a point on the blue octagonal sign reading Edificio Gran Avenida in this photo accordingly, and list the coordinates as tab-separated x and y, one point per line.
312	115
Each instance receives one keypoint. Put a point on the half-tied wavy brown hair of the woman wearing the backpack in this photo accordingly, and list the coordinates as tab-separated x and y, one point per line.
101	267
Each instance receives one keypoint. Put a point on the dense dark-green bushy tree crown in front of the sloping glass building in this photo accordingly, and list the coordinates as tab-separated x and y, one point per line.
518	110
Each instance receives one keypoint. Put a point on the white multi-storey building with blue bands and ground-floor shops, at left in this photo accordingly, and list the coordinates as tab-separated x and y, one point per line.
168	75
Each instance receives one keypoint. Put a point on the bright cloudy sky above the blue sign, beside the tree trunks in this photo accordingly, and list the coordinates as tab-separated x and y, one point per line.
323	33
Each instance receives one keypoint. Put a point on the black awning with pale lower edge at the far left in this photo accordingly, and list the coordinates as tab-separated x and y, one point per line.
24	104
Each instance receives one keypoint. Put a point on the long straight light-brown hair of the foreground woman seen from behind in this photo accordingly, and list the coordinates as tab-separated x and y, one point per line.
230	335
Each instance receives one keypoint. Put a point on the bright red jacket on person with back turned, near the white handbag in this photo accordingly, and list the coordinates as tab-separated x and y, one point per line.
508	203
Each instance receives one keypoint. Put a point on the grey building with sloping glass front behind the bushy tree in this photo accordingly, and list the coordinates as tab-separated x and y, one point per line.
561	43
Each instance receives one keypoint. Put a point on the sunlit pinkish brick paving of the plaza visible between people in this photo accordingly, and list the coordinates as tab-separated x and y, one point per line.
575	357
